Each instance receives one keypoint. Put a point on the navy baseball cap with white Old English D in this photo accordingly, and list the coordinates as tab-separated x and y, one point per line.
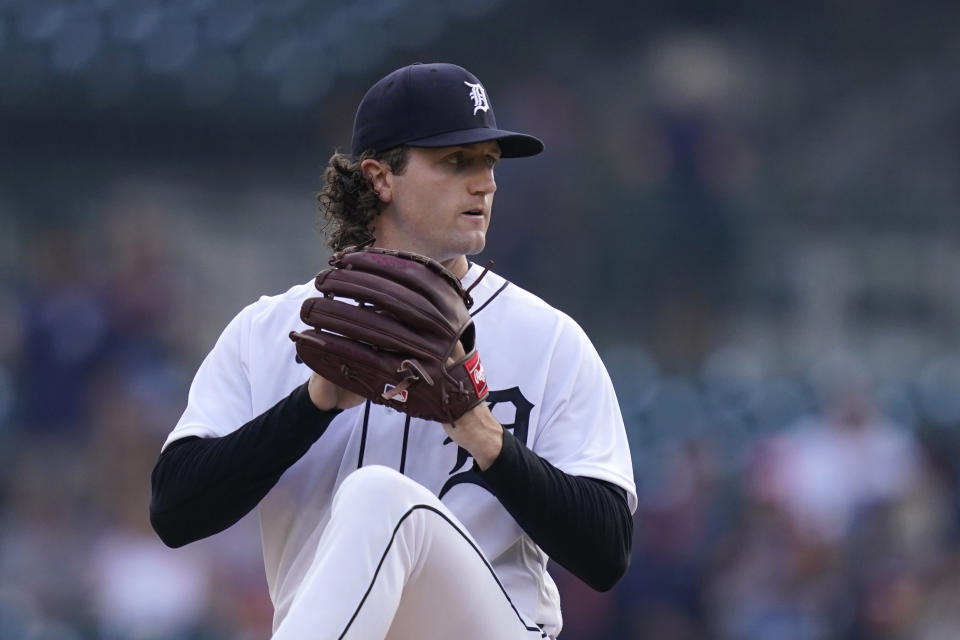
432	105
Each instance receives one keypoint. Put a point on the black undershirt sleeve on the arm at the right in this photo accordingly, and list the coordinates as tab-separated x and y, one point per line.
583	524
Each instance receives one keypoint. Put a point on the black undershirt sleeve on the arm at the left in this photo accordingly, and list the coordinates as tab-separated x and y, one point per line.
202	486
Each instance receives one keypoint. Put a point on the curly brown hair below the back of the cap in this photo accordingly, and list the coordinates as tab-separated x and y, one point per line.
348	203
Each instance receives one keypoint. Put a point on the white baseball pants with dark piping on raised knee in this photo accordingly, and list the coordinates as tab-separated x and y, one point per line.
394	563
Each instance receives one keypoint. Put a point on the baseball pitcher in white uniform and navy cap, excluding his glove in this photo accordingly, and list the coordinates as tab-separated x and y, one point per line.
381	524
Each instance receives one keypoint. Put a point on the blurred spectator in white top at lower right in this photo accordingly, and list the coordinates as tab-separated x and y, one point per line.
803	566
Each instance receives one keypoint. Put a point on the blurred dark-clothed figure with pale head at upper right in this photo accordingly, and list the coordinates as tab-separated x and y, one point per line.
669	228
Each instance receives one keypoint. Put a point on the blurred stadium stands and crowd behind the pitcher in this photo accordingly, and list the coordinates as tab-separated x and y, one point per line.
752	208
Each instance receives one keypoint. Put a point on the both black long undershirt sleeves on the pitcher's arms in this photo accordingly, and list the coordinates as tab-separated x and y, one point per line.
202	486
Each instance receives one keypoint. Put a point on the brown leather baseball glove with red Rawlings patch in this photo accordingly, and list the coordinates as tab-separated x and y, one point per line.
386	327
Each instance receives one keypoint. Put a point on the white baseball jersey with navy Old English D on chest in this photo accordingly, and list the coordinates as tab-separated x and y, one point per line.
547	385
